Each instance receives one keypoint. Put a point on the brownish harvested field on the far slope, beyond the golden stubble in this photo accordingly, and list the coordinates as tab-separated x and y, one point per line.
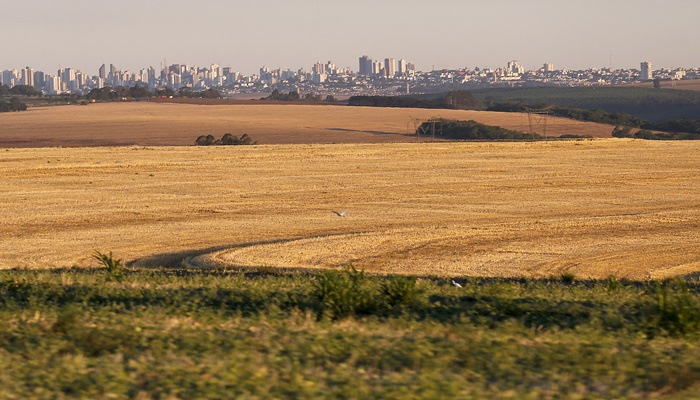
167	124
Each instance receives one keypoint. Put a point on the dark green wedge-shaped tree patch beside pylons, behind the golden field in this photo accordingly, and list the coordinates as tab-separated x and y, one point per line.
472	130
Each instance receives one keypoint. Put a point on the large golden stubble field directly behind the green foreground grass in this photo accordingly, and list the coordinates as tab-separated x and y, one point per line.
592	208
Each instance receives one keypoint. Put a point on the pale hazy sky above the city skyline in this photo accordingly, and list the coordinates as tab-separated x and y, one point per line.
132	34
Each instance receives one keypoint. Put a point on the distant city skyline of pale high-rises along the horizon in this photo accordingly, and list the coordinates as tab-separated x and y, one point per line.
374	77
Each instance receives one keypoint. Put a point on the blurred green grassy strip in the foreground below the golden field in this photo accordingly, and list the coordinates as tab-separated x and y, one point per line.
213	334
